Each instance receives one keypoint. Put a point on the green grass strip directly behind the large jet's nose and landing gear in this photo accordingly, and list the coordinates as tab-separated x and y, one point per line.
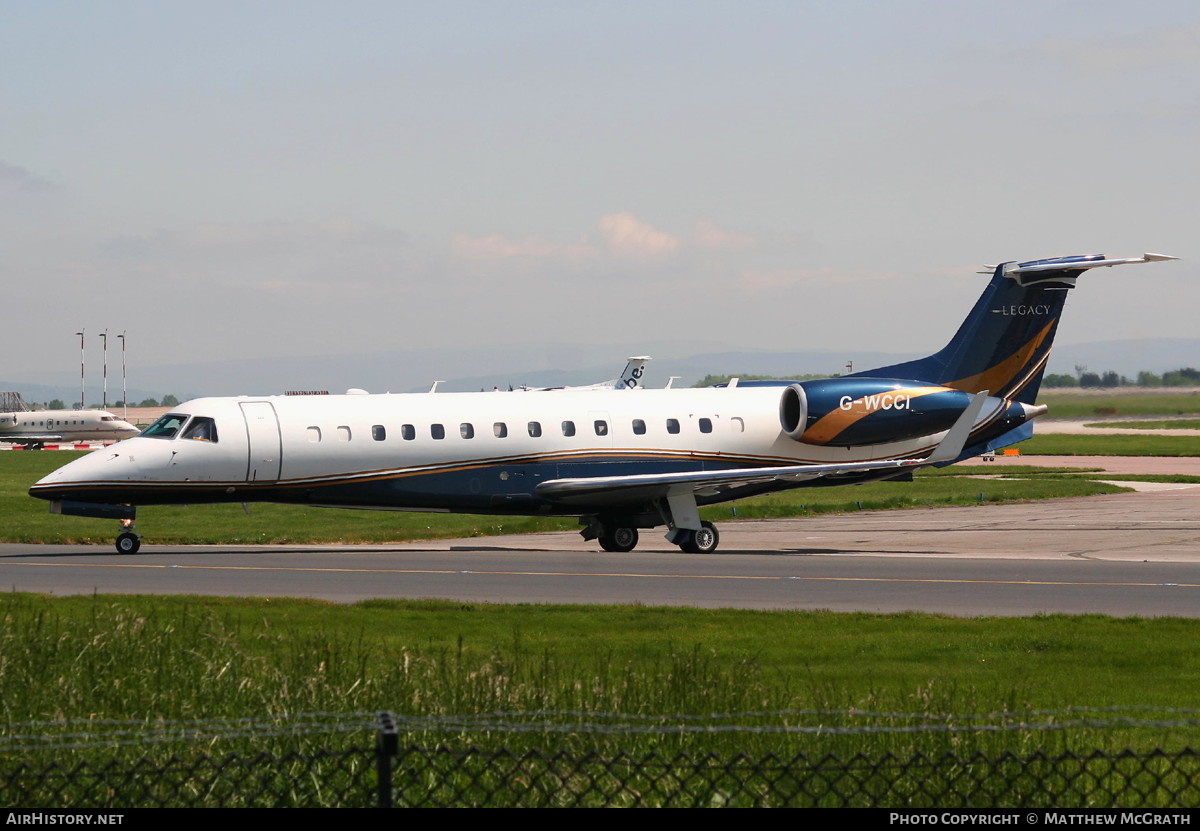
28	521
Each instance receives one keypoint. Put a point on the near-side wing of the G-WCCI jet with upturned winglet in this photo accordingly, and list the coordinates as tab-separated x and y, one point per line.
623	489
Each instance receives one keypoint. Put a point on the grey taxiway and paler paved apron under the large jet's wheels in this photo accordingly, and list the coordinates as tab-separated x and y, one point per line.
1130	554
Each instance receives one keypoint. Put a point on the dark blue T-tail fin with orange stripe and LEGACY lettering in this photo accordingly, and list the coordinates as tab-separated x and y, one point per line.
1005	343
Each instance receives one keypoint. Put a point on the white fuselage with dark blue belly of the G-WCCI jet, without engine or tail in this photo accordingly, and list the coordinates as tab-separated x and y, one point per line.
453	451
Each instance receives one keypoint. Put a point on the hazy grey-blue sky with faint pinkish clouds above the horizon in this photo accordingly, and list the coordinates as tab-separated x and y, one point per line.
227	181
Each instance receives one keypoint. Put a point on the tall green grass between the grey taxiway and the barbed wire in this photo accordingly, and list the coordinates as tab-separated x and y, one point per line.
173	659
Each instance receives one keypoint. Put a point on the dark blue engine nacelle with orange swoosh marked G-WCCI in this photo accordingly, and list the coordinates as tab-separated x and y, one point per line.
853	412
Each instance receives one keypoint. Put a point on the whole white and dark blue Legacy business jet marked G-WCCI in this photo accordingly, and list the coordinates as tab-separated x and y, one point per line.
620	461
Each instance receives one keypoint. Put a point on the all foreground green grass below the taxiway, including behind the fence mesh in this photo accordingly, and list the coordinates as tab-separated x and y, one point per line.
82	669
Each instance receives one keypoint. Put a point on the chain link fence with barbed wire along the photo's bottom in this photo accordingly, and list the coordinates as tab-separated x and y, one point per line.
359	761
